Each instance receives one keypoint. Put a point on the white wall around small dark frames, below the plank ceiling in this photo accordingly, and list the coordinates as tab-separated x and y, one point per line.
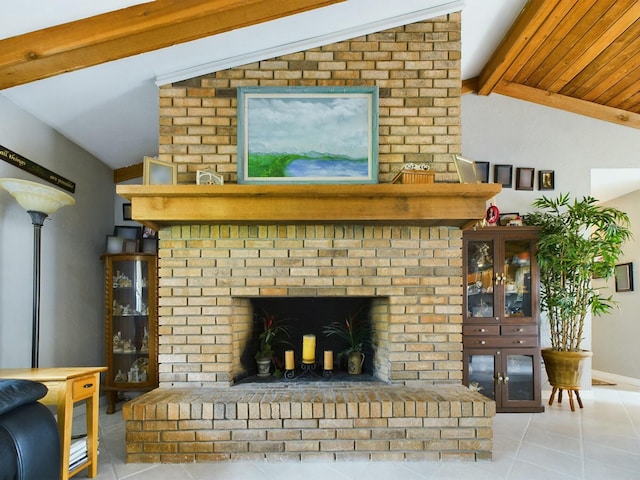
502	130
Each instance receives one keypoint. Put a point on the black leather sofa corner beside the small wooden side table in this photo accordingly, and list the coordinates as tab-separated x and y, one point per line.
29	438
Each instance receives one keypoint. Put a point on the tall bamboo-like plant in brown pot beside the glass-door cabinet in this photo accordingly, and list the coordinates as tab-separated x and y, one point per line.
579	240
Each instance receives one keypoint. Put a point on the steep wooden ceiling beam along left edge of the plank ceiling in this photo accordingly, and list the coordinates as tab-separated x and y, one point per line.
525	26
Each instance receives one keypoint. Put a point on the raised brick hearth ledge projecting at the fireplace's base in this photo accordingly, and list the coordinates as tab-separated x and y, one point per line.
305	423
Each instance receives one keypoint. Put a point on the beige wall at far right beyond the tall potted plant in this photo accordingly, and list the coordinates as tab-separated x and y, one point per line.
615	337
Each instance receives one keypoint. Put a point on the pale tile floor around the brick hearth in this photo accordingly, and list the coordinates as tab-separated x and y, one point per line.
602	441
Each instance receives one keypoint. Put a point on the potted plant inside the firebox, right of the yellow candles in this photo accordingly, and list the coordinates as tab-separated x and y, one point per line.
357	334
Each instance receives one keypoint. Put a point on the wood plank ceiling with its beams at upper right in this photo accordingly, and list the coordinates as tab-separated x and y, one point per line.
579	56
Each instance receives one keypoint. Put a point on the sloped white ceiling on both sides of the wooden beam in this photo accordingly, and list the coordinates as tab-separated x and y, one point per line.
111	110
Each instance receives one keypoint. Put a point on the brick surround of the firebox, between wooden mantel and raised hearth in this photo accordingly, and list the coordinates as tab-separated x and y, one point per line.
209	273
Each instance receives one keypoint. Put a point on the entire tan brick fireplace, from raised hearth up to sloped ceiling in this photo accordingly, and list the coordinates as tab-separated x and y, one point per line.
209	272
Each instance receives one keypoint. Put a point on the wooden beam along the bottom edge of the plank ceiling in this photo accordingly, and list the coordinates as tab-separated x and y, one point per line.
569	104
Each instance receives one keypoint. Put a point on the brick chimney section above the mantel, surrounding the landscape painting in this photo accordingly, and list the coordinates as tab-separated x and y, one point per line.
417	70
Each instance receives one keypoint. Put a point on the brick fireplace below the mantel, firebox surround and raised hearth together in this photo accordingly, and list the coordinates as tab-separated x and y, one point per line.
419	410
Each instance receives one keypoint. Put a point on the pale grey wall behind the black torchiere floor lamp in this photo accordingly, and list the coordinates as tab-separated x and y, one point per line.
73	238
